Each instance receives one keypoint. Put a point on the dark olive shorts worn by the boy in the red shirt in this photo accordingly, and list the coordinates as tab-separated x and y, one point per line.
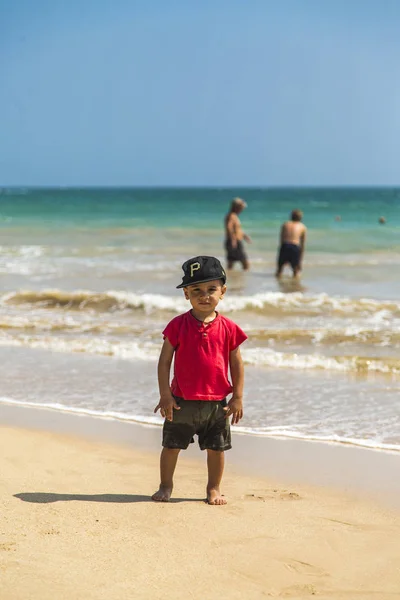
205	418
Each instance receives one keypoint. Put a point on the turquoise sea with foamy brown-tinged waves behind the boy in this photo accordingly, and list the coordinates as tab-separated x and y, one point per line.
88	282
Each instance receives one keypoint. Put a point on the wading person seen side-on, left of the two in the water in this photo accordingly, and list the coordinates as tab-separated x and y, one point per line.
234	235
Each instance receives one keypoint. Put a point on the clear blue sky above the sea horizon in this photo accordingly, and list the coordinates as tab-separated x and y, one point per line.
199	92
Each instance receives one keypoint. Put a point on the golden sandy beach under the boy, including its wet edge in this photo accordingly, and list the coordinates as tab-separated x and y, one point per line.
78	521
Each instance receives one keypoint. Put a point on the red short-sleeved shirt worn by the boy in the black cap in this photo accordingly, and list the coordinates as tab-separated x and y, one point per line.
202	356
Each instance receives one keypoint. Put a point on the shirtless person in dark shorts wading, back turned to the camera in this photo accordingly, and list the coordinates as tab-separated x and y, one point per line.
292	244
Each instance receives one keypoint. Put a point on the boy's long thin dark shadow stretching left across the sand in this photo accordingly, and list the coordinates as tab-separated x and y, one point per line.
49	497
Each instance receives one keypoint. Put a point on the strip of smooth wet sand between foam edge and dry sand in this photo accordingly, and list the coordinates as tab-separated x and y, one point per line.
350	469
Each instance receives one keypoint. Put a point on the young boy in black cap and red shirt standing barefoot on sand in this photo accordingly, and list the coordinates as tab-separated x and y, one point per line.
205	344
